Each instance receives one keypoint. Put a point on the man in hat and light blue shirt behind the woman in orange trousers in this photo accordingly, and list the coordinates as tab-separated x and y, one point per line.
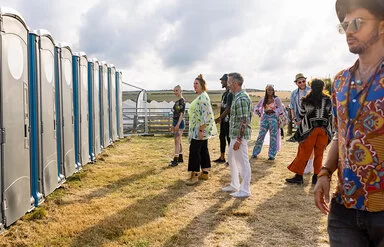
296	95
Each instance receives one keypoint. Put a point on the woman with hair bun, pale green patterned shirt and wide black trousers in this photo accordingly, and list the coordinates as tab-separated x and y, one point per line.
201	127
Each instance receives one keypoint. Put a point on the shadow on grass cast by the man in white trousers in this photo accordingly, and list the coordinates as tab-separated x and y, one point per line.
191	234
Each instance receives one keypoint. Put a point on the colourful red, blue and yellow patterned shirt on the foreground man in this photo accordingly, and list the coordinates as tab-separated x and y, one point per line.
360	124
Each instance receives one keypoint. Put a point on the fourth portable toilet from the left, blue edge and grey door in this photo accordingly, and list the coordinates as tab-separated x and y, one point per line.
80	97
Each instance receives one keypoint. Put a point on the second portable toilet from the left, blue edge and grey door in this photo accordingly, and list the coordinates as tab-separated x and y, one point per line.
45	171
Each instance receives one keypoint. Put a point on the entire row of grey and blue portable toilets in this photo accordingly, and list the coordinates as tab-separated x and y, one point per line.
58	110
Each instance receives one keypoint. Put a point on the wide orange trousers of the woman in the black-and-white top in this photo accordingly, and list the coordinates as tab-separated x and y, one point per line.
316	141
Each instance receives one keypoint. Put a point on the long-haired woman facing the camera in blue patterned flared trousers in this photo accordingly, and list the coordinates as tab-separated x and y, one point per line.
268	109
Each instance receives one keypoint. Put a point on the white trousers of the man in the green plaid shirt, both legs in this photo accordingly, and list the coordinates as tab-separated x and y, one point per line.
239	165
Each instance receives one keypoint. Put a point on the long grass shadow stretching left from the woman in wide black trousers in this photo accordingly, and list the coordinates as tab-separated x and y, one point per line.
140	213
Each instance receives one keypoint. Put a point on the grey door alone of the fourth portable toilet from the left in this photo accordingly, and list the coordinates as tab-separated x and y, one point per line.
83	104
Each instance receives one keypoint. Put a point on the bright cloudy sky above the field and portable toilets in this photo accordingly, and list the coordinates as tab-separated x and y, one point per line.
158	44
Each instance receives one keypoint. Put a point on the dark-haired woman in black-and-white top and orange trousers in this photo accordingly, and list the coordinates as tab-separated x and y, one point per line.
314	132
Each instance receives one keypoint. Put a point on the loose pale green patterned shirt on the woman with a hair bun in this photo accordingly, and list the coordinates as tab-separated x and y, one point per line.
200	113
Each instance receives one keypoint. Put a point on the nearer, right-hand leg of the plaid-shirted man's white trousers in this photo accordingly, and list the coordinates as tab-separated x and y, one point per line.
244	167
